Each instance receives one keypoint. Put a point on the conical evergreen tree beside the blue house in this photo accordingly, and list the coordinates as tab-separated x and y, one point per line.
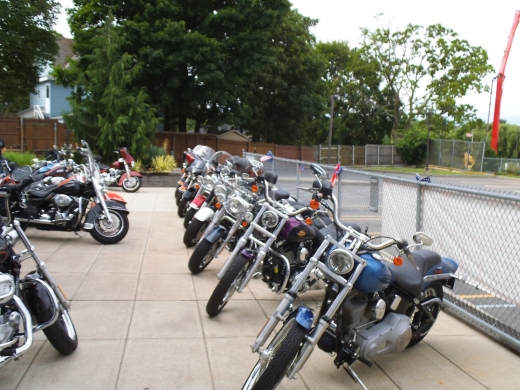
105	110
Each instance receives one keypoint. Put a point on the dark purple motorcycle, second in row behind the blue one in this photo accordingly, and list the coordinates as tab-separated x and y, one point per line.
276	245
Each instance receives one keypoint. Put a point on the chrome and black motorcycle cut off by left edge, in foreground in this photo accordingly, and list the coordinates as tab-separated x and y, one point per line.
29	304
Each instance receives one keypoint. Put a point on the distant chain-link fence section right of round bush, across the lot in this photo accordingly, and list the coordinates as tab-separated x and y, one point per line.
457	154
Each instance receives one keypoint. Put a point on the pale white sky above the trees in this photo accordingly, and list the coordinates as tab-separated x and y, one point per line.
482	24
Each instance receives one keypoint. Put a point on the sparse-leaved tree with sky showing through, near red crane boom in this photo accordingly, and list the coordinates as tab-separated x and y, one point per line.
426	69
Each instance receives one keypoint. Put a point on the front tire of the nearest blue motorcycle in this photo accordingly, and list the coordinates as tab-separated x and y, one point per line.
282	350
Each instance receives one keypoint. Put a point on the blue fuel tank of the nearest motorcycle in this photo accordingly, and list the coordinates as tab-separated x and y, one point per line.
375	276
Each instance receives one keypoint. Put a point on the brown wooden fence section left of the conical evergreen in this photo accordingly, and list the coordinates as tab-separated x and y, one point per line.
33	135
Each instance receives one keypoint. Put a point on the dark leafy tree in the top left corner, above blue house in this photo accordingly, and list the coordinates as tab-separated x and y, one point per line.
27	45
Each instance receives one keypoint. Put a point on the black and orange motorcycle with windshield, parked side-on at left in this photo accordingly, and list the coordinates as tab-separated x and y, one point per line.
77	203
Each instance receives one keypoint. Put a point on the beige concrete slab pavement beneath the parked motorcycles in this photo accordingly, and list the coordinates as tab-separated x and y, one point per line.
141	321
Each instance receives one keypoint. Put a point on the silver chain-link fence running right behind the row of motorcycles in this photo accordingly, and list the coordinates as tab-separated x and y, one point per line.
476	228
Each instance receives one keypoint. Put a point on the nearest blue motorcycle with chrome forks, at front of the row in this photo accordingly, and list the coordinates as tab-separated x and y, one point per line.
373	306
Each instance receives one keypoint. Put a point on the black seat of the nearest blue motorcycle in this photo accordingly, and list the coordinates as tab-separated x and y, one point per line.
410	278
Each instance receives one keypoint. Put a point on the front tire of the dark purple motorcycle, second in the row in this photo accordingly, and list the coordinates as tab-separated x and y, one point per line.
227	286
